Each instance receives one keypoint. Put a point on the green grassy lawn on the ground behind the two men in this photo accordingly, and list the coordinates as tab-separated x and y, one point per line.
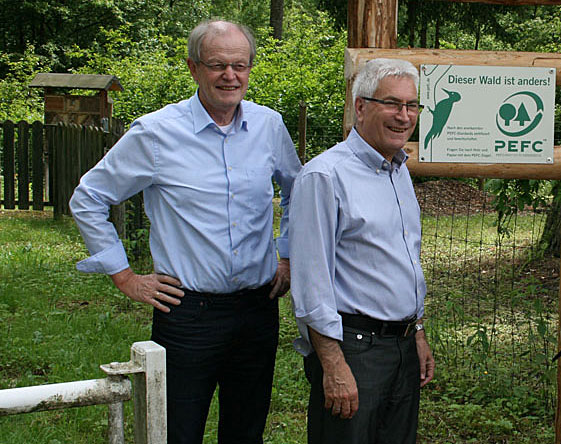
491	334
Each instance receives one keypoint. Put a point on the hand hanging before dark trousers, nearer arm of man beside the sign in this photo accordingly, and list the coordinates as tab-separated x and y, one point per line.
339	384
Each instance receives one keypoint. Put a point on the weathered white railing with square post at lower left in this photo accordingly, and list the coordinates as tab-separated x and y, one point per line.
148	370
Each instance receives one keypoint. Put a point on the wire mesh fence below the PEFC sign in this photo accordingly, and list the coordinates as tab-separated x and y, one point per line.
492	297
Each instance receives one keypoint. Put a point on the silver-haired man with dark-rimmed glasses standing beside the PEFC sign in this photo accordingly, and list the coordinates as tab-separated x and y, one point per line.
357	284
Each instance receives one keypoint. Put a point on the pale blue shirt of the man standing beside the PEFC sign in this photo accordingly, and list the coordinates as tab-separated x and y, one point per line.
355	239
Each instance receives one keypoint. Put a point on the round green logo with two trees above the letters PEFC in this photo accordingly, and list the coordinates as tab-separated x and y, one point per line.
513	119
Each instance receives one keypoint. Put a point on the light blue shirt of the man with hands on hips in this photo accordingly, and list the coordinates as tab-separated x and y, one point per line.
208	196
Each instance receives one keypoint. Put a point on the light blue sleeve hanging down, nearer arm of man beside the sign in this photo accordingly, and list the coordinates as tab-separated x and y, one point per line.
313	225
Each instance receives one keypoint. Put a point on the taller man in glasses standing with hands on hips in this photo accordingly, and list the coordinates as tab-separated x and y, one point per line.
205	167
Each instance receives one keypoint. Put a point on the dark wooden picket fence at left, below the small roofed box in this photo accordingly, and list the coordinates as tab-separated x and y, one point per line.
48	161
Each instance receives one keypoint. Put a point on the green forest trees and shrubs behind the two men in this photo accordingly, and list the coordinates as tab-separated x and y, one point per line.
300	57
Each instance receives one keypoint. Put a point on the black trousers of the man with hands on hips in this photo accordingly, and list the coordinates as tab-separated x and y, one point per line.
229	341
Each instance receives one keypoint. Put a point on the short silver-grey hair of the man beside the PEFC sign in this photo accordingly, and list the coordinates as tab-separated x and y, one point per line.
367	80
